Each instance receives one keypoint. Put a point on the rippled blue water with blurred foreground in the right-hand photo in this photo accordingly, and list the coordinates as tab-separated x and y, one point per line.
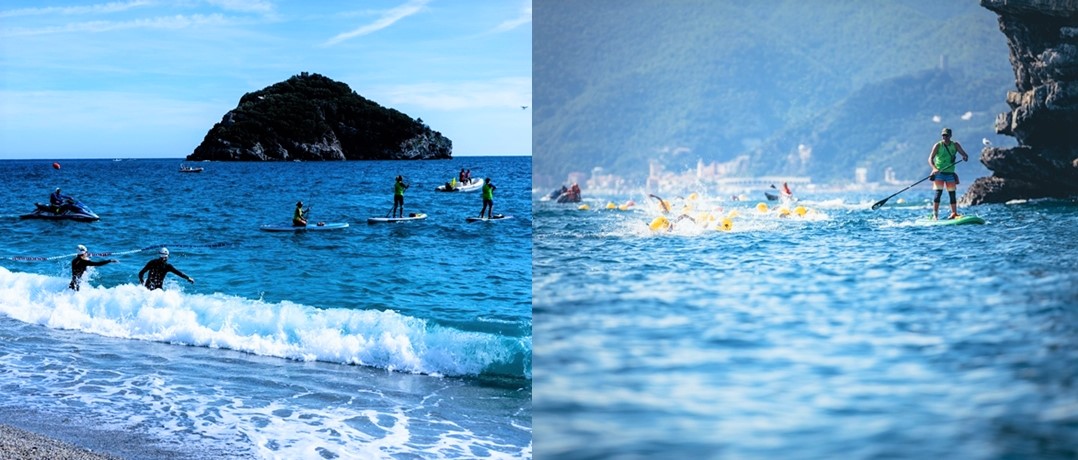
851	333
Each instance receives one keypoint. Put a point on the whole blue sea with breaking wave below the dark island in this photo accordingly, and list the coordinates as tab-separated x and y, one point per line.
404	341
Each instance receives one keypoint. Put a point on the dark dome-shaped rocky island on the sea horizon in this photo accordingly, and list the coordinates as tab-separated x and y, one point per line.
313	118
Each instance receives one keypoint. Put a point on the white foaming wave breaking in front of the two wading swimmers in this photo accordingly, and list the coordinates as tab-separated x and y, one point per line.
384	340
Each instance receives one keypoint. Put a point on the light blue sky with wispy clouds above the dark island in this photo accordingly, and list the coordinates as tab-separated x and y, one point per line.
135	79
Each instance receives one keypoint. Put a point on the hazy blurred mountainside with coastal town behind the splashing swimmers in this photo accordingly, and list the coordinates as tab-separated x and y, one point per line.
793	88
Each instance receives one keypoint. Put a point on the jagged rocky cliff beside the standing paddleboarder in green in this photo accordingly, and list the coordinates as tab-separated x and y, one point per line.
1043	37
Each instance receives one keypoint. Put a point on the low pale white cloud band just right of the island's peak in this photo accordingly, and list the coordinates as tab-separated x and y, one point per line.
507	93
